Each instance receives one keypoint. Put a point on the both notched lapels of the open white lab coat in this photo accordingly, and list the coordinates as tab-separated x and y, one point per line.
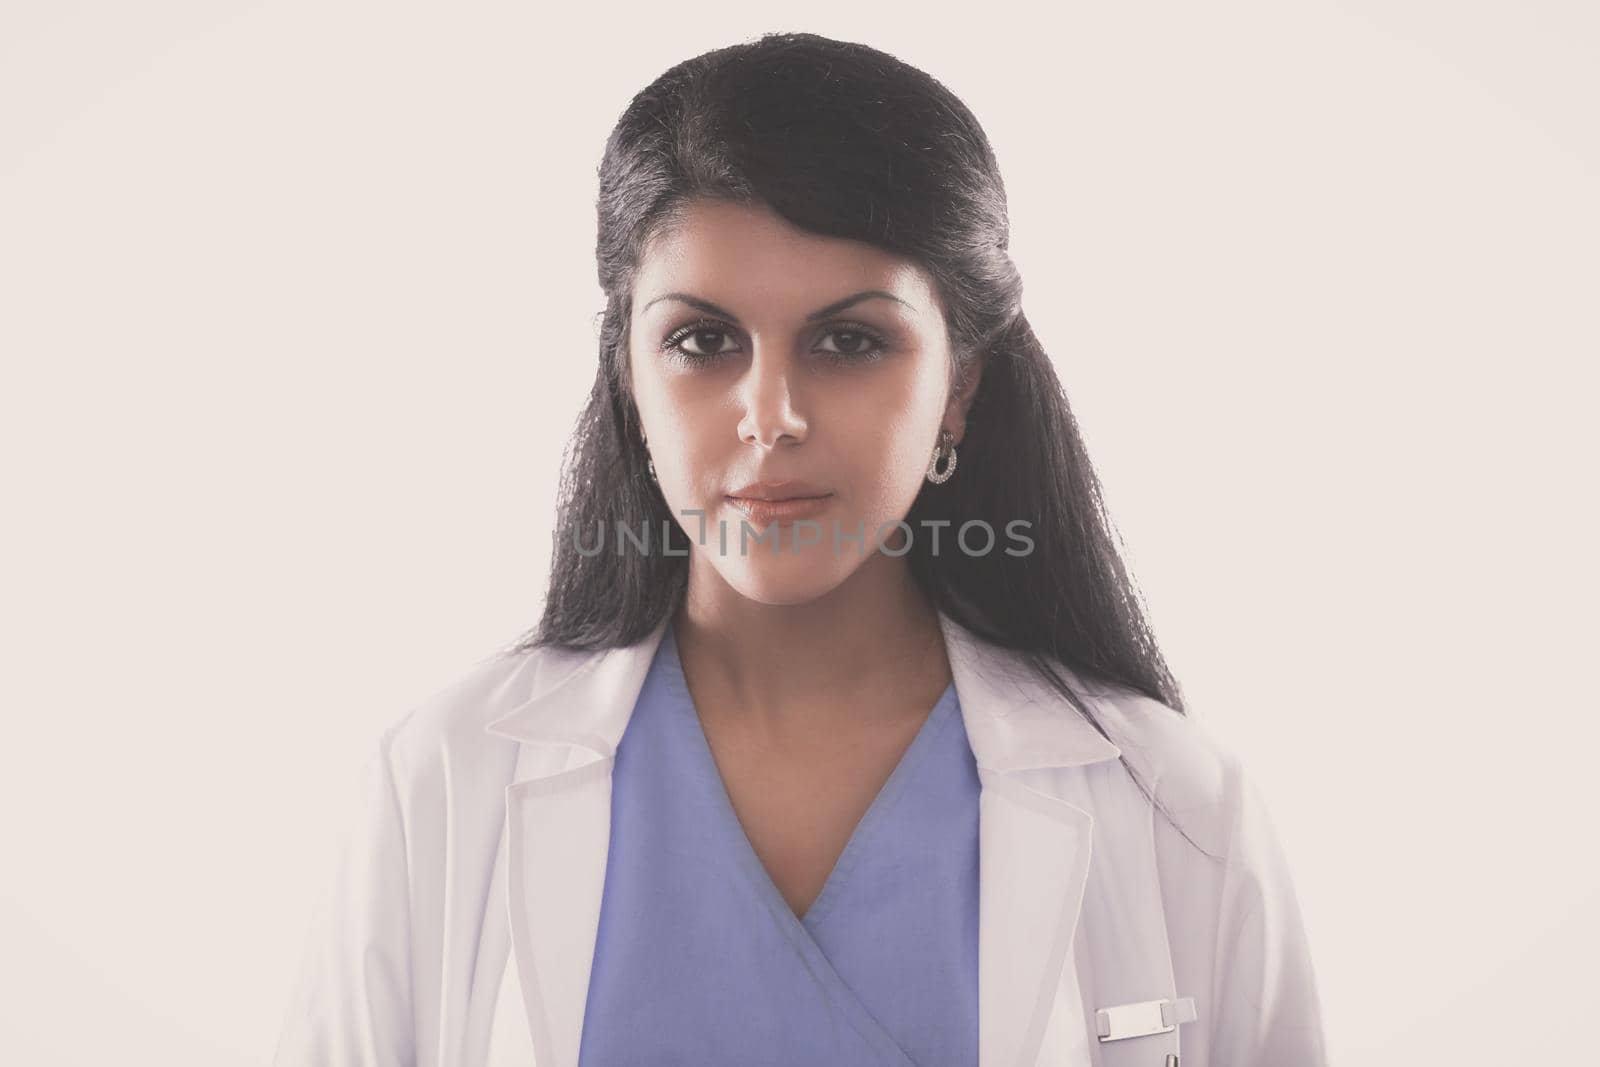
1034	844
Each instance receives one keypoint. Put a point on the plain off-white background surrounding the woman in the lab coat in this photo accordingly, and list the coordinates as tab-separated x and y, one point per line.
298	308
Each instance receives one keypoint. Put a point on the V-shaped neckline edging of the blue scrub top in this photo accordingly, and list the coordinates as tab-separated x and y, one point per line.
858	841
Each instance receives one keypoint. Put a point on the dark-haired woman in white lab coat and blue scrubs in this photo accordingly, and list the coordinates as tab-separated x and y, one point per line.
842	738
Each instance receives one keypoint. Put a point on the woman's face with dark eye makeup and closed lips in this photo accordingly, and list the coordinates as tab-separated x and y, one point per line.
759	354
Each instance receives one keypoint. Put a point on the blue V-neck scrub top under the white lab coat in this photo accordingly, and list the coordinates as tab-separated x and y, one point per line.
700	959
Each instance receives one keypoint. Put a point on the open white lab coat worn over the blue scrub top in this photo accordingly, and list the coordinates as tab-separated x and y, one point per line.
462	921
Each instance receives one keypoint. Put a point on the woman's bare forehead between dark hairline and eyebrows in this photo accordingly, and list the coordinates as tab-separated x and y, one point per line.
751	255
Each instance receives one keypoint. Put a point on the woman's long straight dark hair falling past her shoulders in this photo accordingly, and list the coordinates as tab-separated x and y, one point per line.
849	142
